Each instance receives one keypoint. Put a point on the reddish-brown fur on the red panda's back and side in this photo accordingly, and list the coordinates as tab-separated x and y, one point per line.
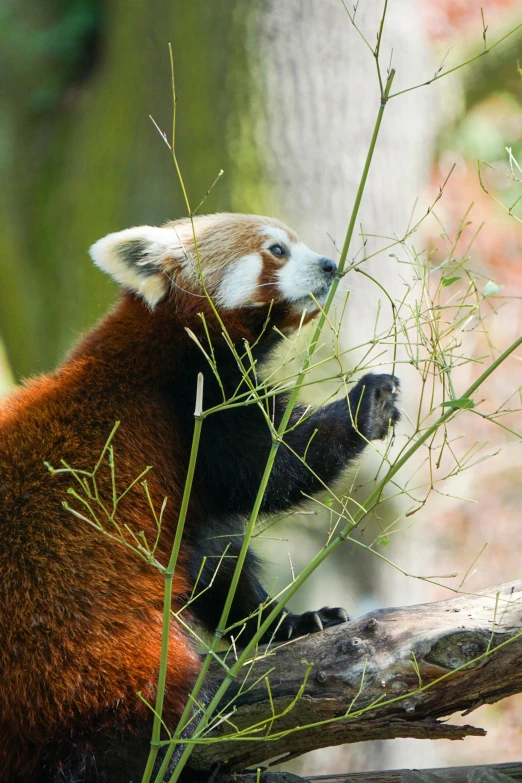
82	632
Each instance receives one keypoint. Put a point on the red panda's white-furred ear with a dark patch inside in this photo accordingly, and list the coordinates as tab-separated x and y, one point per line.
136	258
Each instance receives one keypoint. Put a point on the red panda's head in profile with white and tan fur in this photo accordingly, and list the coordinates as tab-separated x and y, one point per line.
246	261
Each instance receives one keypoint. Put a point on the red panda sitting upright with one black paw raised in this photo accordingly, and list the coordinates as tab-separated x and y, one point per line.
81	615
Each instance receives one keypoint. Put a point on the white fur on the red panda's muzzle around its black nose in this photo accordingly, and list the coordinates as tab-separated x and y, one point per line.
302	275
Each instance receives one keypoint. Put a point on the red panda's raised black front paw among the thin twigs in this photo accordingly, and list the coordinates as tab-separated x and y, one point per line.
372	405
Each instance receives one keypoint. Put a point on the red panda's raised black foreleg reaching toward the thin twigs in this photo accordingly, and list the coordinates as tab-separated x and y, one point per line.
316	448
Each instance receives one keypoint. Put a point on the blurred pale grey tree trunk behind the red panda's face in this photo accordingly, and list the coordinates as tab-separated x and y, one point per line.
310	102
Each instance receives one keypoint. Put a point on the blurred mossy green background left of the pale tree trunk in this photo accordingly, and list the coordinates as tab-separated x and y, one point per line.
79	156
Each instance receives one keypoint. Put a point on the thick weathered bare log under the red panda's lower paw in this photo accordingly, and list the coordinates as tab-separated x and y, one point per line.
406	668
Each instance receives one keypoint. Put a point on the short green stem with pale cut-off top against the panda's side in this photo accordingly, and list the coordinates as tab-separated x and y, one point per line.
169	576
